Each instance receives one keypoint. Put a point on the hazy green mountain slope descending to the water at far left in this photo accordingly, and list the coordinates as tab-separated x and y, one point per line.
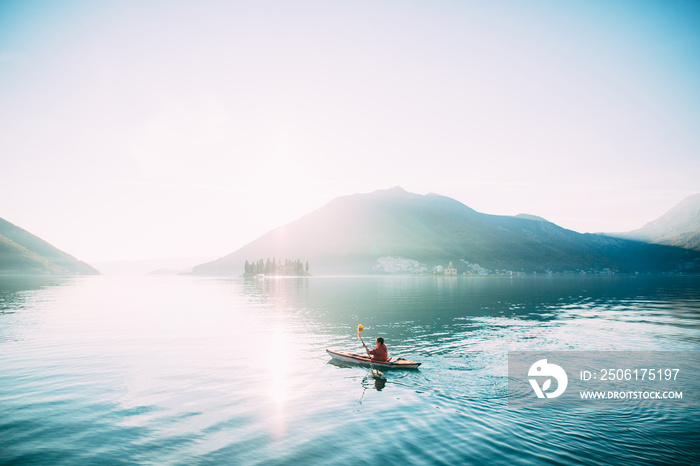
25	254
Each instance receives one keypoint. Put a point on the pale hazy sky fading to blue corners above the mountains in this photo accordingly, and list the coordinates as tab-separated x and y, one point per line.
154	129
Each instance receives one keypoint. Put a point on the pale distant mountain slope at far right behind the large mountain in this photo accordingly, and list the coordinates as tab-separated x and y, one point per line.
680	226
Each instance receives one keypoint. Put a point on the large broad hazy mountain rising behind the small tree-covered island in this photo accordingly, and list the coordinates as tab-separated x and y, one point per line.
391	230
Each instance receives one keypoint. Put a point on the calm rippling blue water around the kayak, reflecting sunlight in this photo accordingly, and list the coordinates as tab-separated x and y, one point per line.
184	370
